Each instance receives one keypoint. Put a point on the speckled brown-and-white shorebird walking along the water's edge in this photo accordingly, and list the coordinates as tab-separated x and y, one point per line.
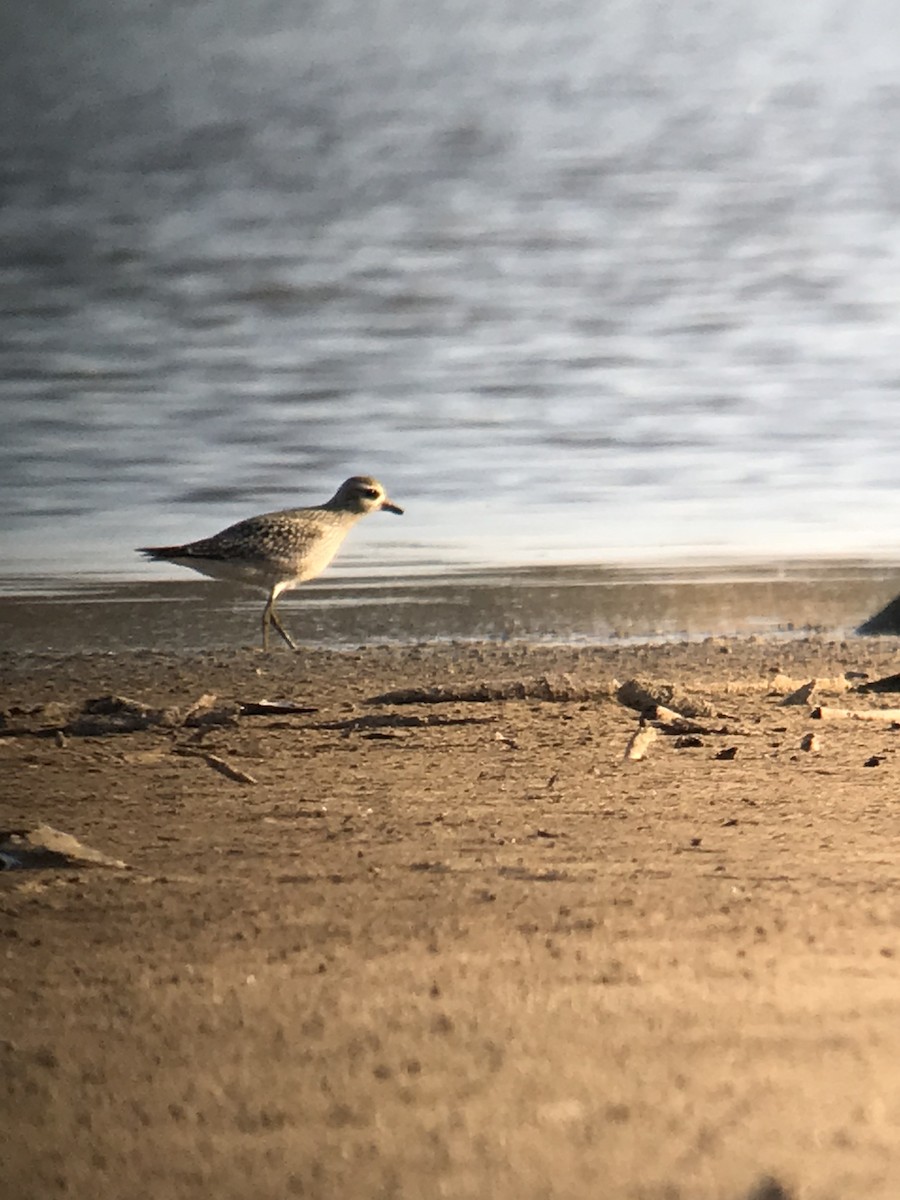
277	551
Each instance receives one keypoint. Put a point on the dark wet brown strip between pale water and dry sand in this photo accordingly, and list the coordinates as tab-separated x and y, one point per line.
578	603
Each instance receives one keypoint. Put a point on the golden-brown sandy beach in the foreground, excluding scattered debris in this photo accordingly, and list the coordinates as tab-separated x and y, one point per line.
455	950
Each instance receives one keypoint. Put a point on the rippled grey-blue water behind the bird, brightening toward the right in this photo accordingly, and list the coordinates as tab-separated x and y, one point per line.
596	281
